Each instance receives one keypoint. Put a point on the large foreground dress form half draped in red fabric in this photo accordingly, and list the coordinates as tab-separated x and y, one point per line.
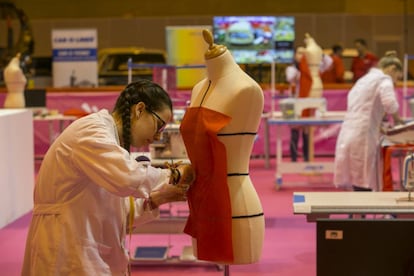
226	217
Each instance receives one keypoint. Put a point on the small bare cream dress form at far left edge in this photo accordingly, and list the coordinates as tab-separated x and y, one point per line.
15	83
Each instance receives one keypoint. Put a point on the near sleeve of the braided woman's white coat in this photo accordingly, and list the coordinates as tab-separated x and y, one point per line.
105	163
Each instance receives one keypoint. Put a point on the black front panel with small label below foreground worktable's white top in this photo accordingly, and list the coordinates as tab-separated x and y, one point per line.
360	247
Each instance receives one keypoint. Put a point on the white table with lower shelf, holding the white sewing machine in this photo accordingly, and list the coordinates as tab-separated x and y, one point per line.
328	118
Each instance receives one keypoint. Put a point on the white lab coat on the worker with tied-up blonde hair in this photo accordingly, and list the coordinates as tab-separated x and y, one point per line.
358	145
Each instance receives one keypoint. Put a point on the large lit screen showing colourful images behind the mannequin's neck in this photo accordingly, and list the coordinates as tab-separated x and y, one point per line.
256	39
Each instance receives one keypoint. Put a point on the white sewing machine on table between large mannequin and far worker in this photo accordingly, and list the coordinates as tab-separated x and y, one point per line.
292	107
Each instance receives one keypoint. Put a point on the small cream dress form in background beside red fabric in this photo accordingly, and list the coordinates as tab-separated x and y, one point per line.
314	55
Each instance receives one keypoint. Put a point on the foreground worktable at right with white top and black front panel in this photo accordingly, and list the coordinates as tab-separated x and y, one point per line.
366	245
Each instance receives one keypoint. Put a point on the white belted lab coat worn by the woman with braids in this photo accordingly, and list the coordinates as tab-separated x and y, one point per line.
81	202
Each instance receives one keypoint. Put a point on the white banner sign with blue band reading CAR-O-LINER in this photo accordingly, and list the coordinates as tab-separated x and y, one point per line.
75	57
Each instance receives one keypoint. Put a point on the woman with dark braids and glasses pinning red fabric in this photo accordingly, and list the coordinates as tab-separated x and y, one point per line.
88	184
